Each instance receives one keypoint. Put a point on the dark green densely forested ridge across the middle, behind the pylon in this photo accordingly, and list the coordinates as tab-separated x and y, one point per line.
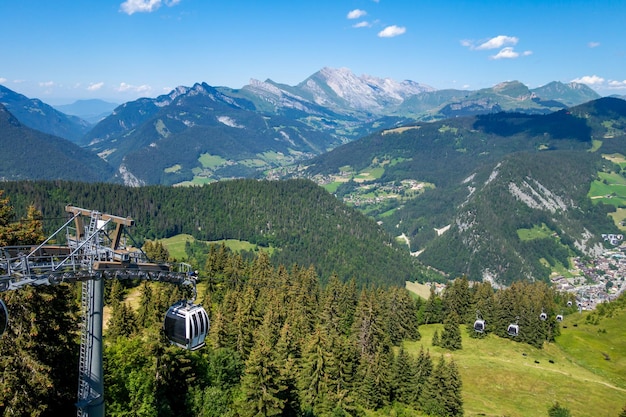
302	221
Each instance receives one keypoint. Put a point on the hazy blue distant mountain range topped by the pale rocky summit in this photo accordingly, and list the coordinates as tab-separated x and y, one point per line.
202	133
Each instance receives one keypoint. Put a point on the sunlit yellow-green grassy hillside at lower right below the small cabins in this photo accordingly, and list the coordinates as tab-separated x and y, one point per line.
504	378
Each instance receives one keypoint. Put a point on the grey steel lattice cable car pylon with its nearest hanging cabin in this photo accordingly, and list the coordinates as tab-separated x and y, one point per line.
96	249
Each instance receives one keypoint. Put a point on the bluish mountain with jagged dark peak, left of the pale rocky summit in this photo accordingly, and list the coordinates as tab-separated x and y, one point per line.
164	140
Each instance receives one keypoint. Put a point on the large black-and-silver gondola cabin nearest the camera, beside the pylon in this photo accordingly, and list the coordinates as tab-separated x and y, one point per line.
186	325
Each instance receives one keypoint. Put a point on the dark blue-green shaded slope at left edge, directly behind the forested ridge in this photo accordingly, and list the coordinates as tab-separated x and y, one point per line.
30	154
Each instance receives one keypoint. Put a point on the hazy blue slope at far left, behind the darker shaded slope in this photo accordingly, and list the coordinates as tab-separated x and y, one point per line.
40	116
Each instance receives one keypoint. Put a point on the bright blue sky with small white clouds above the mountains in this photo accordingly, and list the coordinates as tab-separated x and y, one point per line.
63	50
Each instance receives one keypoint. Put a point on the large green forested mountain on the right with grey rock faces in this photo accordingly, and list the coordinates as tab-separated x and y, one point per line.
460	189
